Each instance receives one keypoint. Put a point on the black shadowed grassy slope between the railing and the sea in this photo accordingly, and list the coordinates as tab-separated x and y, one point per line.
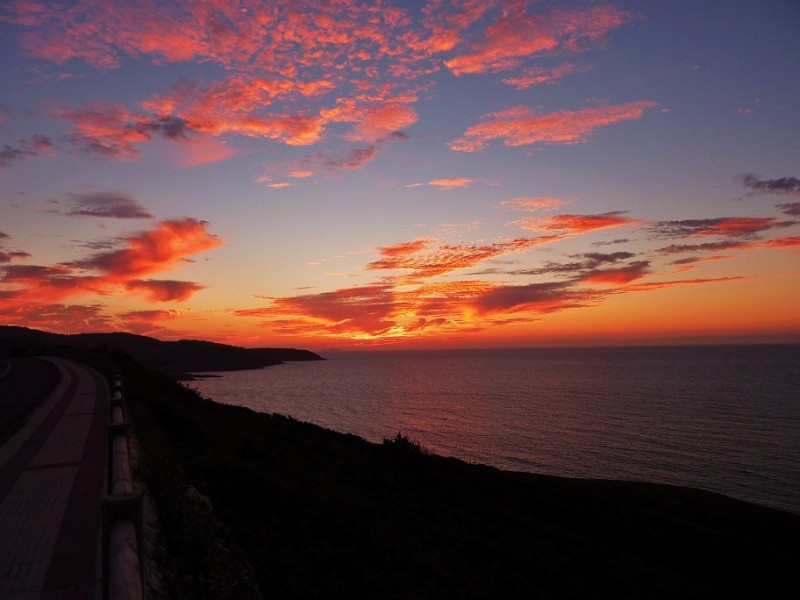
317	513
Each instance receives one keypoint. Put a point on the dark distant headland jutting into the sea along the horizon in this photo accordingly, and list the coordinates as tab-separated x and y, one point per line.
179	359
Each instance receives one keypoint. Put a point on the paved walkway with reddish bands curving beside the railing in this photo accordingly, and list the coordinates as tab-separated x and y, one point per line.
52	479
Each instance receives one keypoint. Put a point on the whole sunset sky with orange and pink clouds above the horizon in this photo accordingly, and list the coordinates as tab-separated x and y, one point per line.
415	174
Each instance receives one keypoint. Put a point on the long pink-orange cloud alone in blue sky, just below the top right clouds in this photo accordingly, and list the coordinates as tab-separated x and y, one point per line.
521	126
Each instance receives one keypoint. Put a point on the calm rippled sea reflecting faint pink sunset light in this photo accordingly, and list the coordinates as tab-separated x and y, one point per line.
725	419
